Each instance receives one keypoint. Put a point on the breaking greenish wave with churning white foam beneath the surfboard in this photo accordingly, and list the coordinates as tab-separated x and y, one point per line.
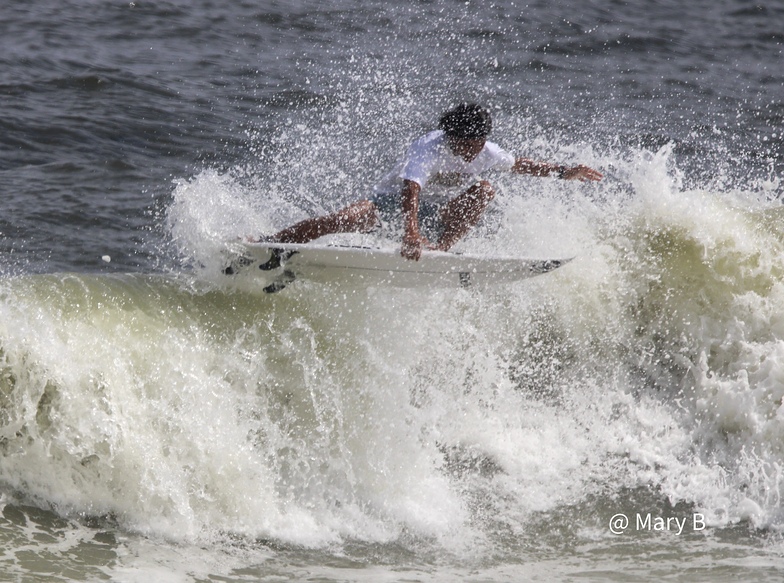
645	376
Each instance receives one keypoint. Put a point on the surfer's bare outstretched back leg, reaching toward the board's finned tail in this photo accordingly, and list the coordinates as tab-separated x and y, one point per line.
359	217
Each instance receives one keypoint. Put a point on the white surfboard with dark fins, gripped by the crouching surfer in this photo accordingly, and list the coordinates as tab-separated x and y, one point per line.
277	265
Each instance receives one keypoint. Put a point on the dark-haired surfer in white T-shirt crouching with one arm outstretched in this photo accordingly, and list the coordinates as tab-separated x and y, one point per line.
420	190
